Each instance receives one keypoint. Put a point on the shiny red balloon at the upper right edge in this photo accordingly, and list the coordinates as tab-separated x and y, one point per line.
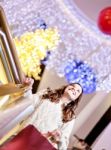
104	20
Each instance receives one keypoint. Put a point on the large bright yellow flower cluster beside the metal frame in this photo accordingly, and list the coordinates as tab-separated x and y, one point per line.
32	47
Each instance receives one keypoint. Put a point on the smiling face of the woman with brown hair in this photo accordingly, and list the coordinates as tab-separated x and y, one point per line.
73	91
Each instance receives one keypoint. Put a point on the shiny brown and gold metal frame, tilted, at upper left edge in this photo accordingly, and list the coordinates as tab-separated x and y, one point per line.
9	62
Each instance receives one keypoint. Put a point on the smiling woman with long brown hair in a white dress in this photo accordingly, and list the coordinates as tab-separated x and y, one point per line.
54	114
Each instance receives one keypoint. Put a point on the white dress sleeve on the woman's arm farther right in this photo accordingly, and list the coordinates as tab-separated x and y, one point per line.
65	135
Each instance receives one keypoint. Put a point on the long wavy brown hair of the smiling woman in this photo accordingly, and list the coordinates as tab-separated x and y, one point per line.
68	110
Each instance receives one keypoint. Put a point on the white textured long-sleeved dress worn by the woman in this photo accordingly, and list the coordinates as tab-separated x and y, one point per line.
48	117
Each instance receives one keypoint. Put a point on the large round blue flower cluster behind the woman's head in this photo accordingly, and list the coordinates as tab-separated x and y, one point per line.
82	73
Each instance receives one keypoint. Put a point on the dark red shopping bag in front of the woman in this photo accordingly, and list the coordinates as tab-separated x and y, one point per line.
28	139
